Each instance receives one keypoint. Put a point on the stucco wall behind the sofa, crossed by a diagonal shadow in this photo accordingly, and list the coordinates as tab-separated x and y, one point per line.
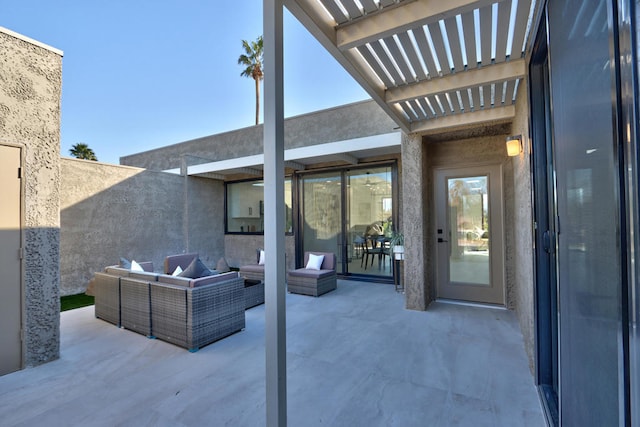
110	211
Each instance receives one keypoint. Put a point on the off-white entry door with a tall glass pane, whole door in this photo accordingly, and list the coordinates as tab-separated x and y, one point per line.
469	234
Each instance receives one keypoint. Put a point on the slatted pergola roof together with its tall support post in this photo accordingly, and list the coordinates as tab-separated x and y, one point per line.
433	66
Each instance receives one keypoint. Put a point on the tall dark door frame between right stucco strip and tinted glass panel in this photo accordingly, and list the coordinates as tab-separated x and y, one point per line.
544	213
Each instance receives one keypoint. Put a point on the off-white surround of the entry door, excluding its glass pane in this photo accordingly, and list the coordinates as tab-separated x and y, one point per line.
497	294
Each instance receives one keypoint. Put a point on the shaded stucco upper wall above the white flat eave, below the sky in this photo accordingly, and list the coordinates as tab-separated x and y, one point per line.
336	124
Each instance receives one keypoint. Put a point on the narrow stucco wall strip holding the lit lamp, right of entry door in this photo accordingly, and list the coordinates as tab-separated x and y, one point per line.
522	256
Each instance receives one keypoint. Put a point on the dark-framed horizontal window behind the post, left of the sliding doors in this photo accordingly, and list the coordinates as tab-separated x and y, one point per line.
245	206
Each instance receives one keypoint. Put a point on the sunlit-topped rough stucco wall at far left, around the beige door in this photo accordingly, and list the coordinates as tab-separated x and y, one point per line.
30	92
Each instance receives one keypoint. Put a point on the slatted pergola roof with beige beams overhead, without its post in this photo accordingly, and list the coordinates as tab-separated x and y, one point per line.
431	65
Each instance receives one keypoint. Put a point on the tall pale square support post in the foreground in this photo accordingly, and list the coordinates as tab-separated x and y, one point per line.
274	216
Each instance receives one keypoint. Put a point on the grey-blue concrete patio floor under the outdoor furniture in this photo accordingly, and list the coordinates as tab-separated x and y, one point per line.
356	357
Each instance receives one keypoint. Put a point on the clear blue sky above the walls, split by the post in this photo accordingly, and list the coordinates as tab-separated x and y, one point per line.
142	74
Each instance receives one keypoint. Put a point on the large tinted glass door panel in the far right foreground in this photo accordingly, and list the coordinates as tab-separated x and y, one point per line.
588	175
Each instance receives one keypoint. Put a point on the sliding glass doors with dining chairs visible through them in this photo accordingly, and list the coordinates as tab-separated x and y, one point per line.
350	213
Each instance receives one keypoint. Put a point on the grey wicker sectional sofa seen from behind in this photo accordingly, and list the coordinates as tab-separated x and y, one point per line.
187	312
